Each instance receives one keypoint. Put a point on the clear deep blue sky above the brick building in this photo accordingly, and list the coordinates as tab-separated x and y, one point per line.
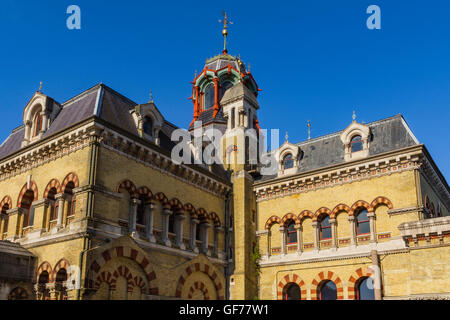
313	59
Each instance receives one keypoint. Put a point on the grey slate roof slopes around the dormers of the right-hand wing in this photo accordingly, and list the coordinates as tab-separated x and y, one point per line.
386	135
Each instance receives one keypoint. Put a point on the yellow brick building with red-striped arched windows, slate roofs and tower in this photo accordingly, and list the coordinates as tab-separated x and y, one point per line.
89	187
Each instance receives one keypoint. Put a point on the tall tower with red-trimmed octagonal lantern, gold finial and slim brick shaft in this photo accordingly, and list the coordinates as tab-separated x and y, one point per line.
225	95
